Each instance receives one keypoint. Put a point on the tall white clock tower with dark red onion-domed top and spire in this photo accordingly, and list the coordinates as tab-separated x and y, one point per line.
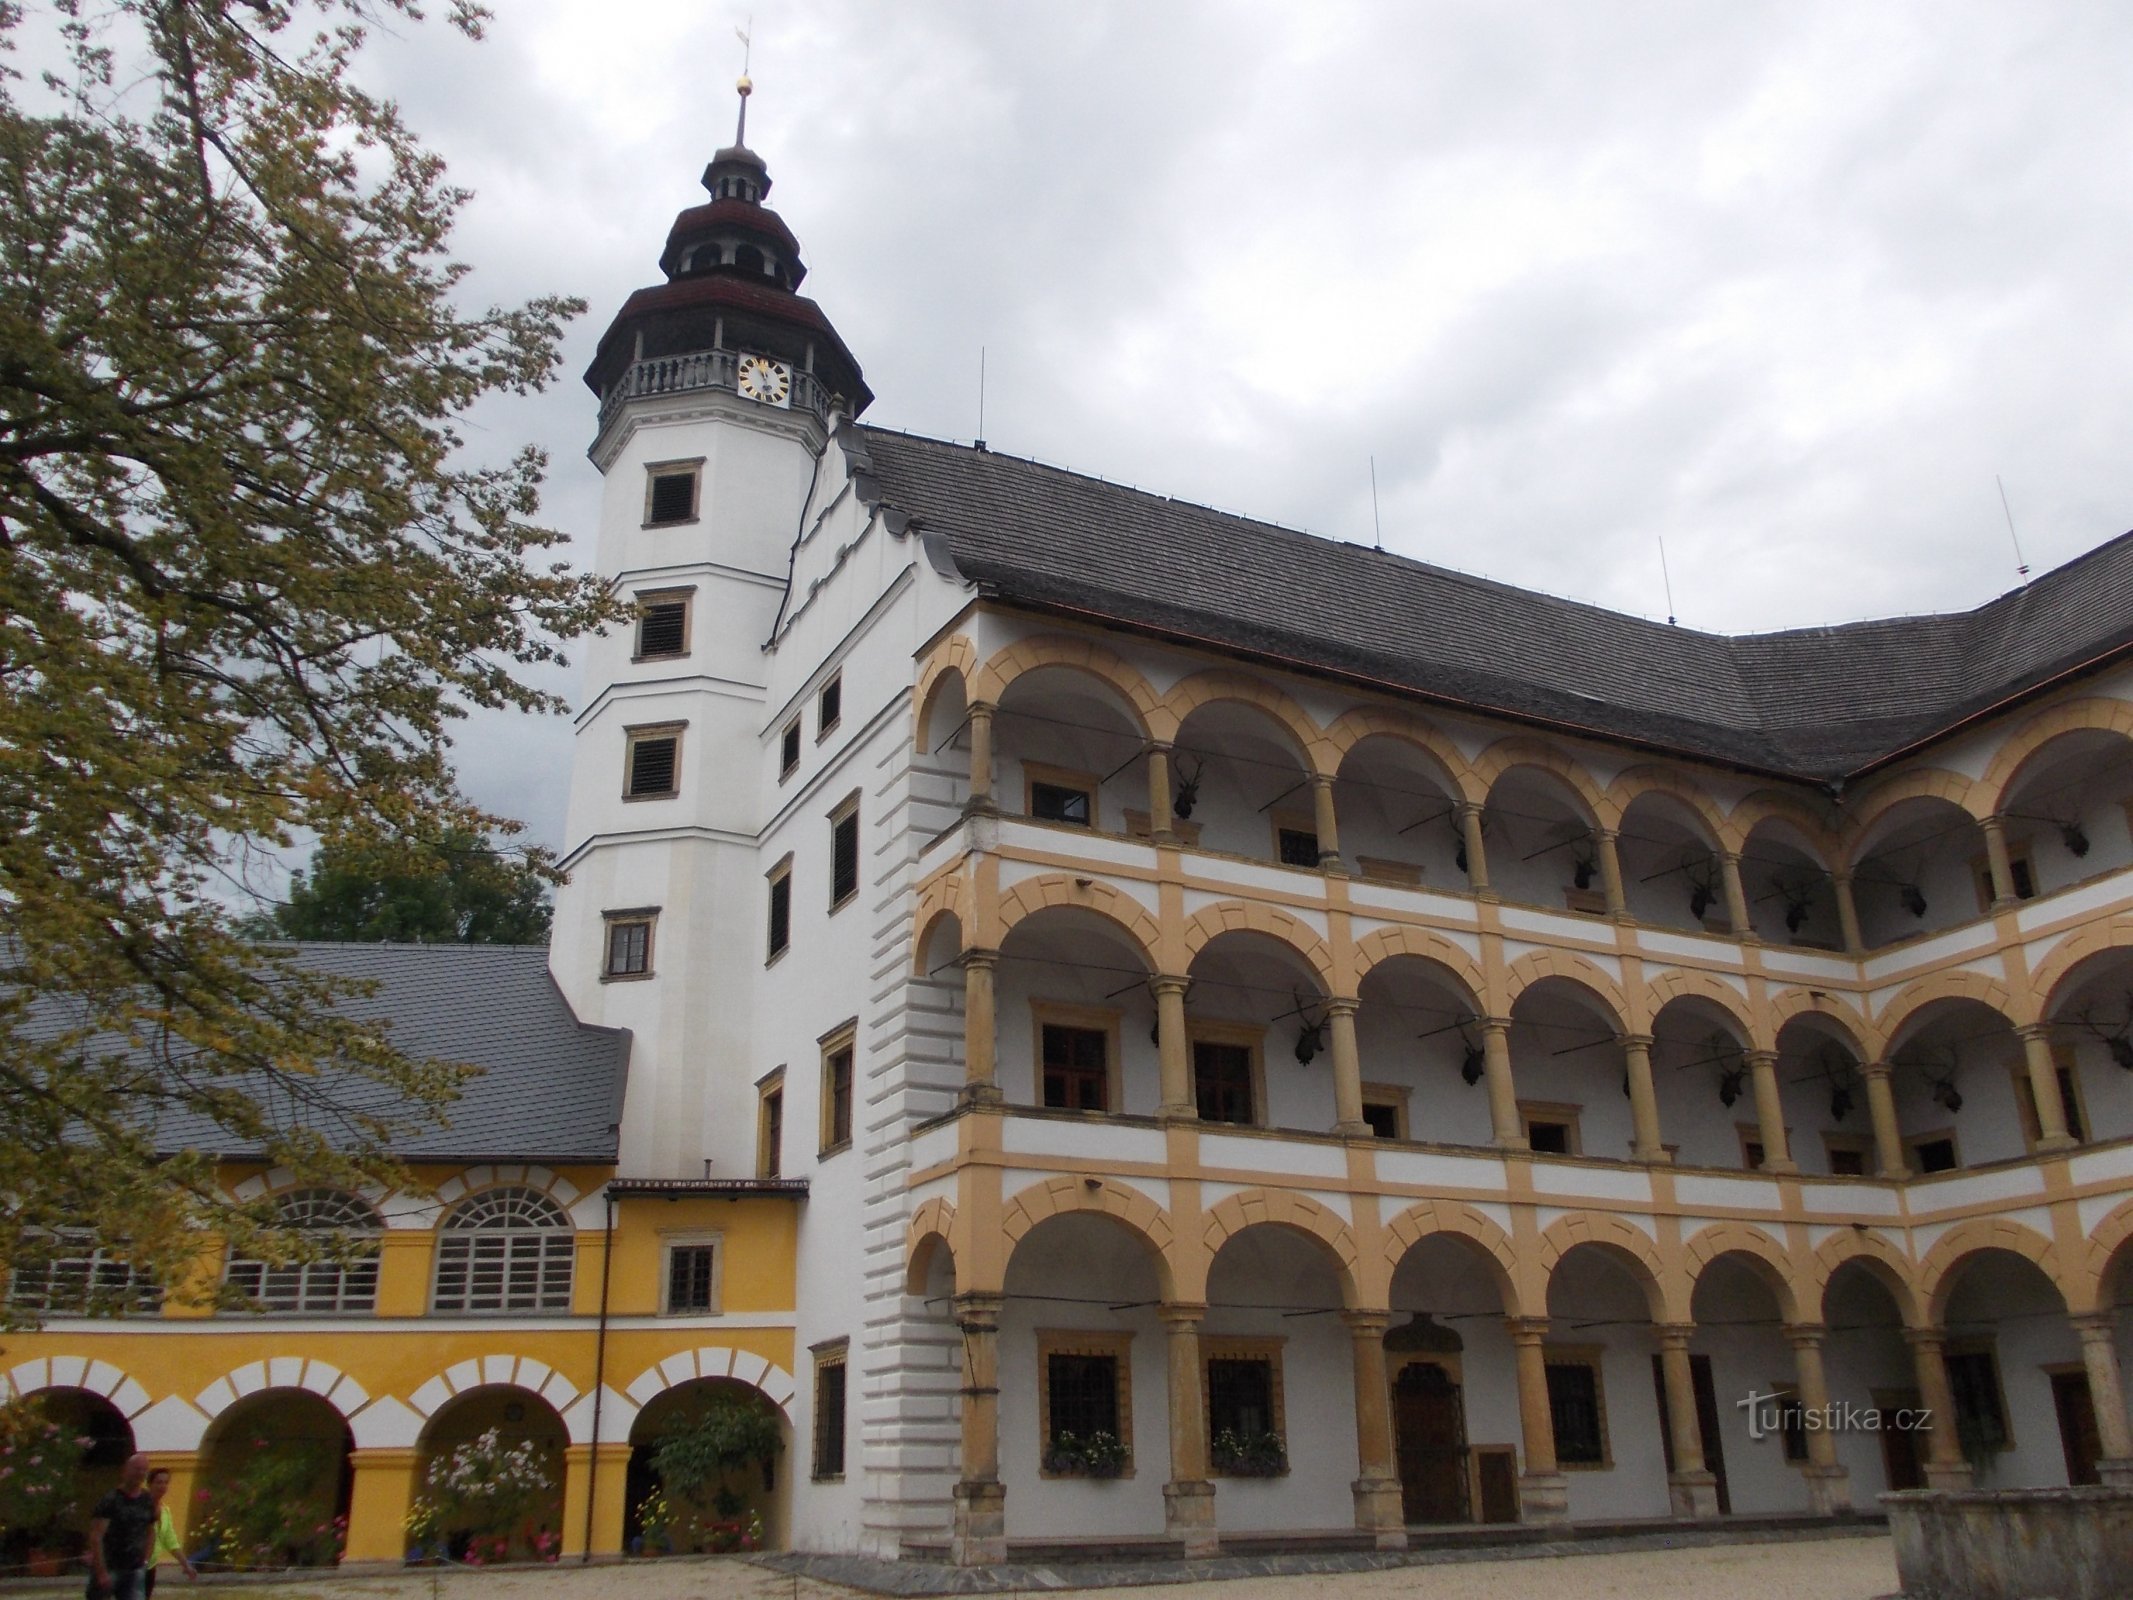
718	396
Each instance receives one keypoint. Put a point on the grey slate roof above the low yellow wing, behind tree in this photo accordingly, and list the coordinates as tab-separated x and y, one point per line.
551	1087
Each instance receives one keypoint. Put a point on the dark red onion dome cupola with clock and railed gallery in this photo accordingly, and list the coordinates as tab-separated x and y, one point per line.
731	313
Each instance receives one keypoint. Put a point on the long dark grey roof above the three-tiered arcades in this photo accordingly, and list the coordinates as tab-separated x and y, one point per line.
1821	703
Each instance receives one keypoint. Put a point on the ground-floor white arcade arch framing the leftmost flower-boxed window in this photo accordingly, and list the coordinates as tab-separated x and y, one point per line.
1085	1383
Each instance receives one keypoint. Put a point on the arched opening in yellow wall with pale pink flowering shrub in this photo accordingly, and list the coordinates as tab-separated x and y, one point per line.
507	1445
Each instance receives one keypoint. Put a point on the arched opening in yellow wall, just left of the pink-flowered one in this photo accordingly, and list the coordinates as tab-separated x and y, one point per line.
276	1484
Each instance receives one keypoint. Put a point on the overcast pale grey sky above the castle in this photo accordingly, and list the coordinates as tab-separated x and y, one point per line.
1782	285
